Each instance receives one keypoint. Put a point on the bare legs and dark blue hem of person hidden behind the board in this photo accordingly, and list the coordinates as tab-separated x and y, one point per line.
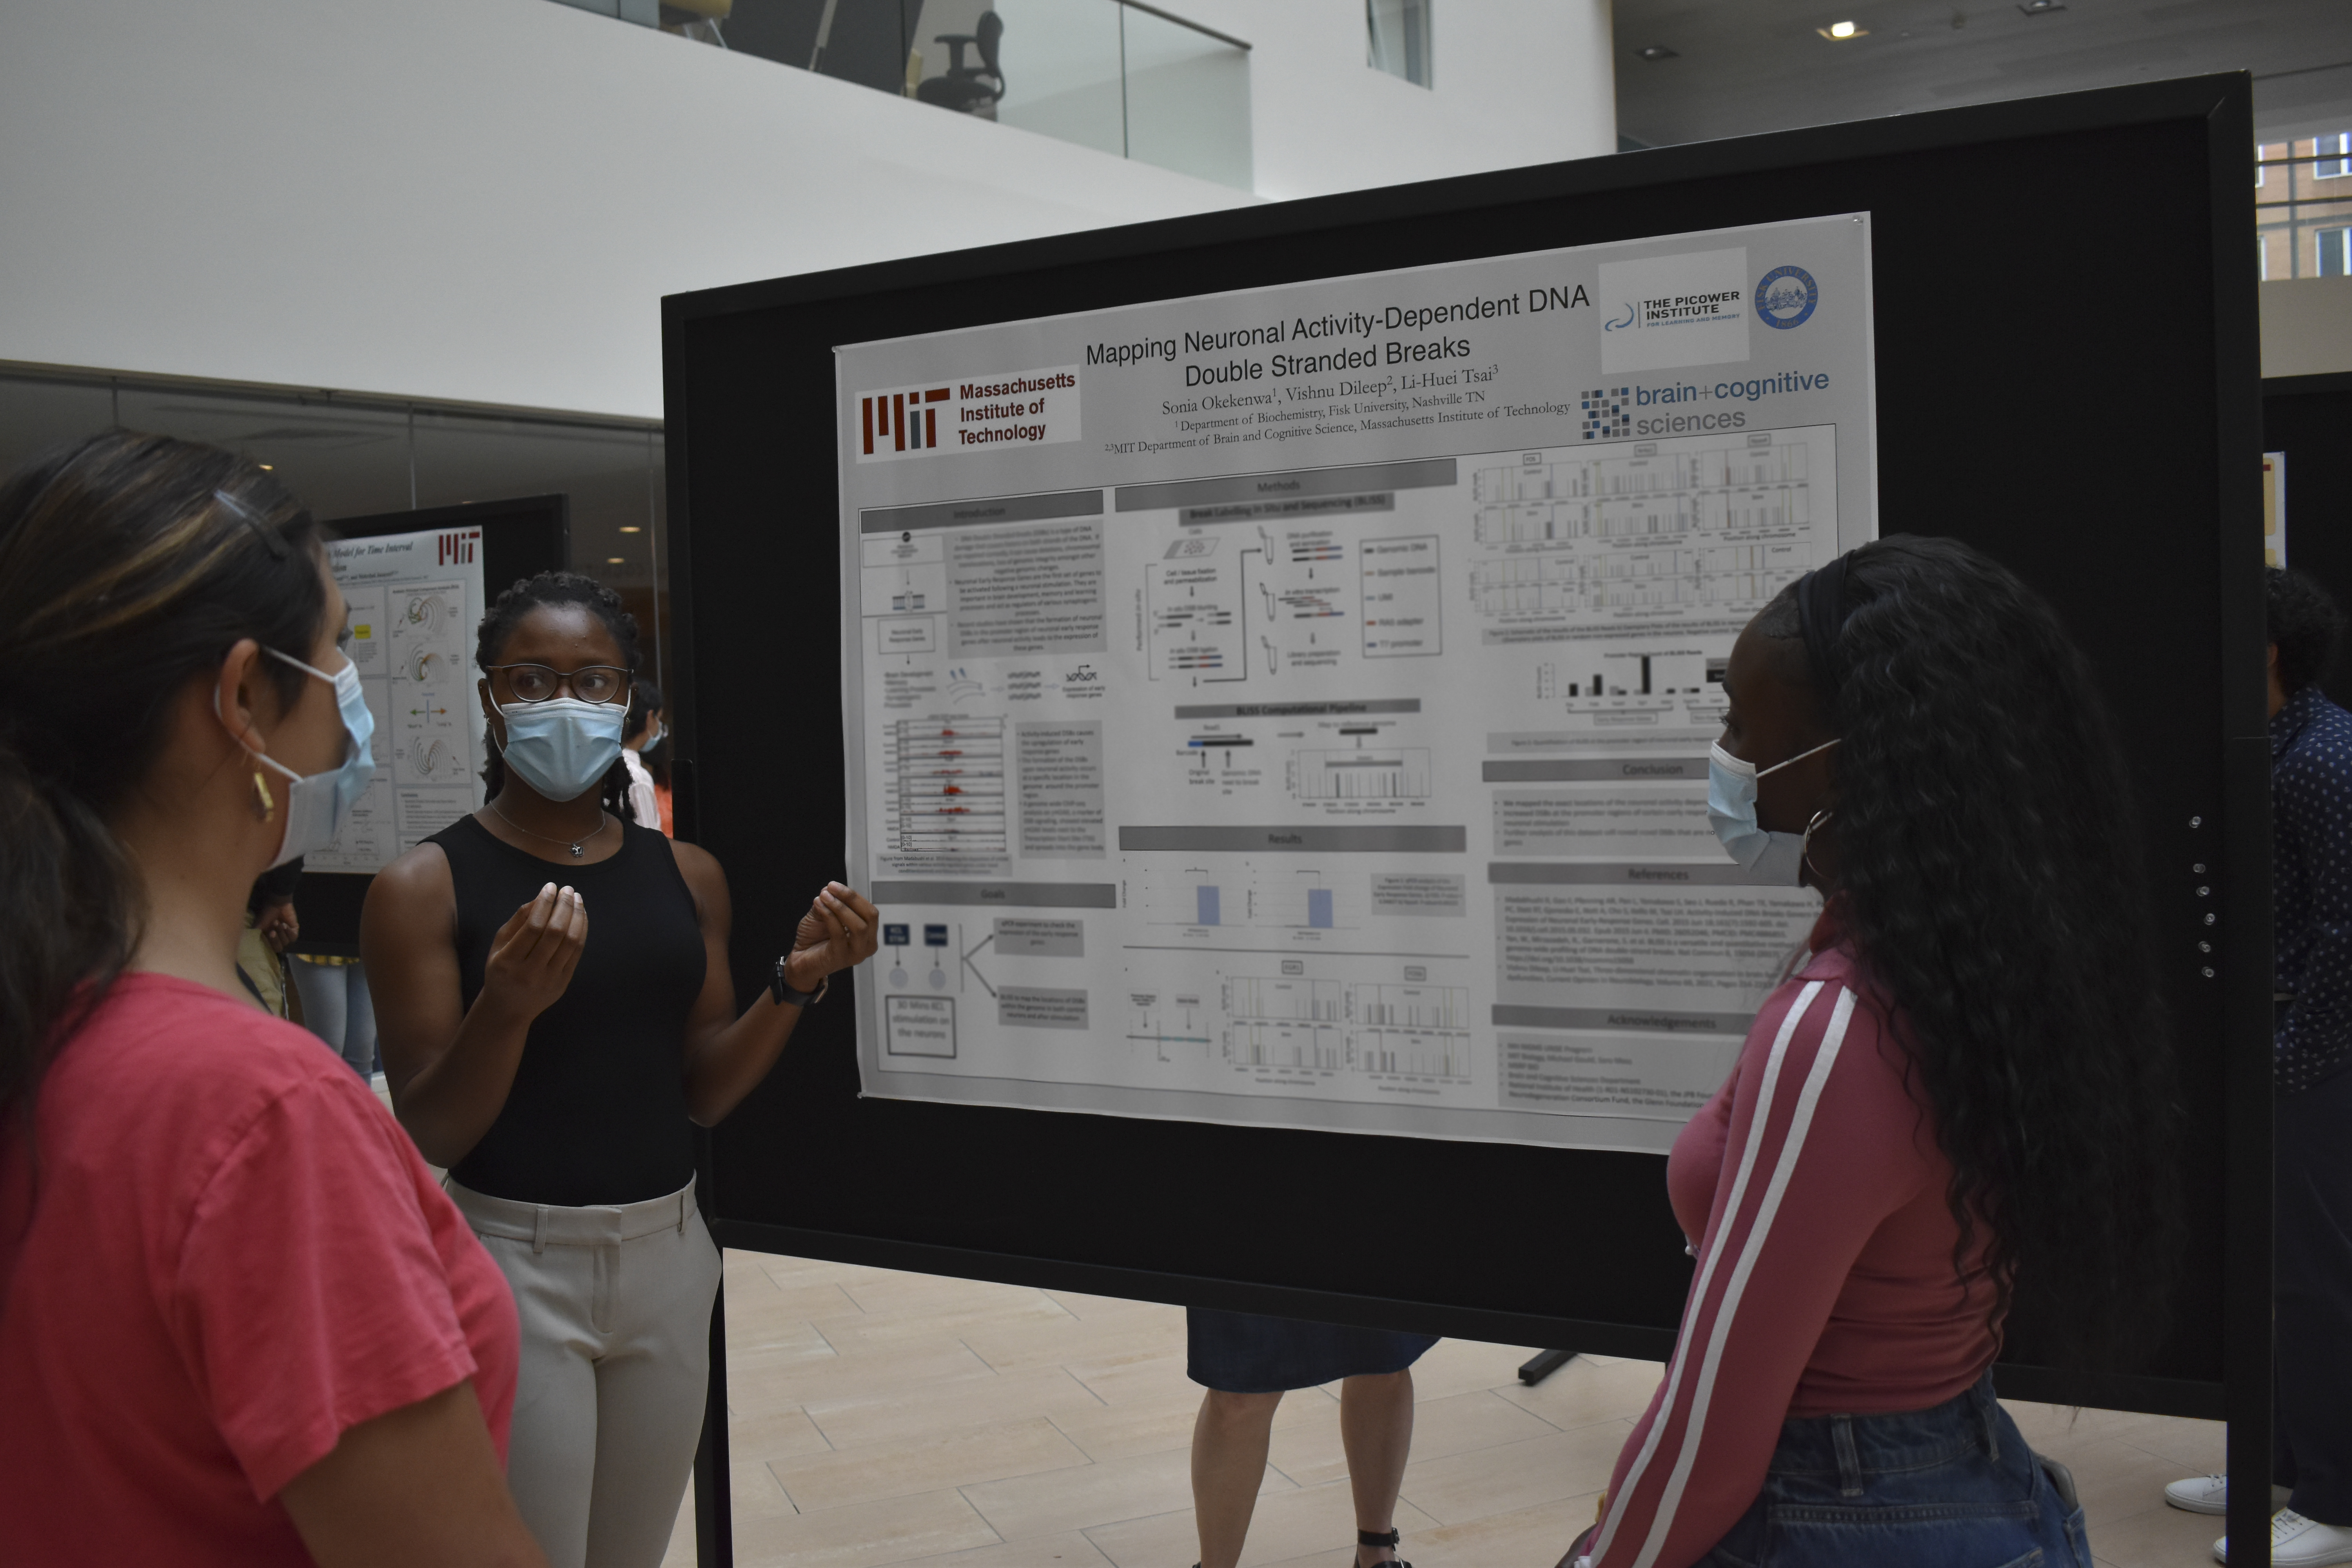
1248	1365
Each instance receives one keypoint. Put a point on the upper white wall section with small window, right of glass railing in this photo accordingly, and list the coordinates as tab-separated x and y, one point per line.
1514	83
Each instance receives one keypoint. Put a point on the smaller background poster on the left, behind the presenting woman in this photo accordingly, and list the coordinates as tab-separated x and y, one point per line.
415	603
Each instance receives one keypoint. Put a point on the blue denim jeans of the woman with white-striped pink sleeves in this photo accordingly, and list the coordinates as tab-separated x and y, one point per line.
1953	1487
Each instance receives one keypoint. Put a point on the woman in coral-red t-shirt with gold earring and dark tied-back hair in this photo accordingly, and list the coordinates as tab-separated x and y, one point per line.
239	1322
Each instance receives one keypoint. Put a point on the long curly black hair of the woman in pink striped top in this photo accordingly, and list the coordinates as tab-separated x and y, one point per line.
1991	878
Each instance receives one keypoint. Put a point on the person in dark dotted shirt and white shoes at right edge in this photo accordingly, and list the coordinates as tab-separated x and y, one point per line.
2311	866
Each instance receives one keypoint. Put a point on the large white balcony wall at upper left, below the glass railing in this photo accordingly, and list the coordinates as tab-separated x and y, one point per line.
462	199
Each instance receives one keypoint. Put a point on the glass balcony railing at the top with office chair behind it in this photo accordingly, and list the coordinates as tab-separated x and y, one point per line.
1116	76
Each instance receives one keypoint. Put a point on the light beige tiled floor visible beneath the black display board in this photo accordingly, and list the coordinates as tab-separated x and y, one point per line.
902	1419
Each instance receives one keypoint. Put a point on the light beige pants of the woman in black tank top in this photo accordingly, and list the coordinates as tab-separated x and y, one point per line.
615	1311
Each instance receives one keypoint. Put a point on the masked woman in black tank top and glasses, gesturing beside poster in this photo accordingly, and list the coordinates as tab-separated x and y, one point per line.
554	1066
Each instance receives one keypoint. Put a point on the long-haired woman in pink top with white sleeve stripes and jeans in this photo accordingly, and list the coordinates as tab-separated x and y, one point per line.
1963	1092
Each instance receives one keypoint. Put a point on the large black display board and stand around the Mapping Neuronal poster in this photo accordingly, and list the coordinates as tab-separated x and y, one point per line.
2078	408
